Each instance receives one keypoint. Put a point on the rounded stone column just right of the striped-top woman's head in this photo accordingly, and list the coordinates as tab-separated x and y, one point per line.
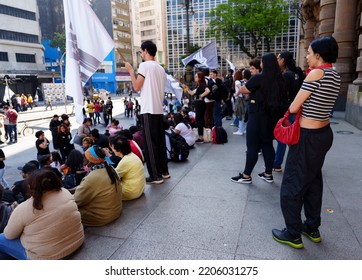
346	36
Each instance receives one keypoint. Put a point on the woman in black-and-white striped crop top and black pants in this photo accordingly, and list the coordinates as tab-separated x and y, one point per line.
302	184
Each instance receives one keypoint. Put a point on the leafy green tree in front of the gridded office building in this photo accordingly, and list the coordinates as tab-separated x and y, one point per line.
260	21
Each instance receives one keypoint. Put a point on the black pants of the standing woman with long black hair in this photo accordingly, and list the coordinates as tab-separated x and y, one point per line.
259	136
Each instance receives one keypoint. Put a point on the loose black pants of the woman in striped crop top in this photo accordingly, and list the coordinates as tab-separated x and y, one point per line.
302	183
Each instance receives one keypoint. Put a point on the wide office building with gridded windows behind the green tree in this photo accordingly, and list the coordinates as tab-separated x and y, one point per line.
227	49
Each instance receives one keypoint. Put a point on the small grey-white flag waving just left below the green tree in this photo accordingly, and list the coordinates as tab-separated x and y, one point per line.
206	56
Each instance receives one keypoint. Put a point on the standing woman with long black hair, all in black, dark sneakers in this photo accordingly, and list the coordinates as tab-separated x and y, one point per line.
267	95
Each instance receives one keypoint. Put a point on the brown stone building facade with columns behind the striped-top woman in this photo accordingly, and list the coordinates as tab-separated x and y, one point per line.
342	19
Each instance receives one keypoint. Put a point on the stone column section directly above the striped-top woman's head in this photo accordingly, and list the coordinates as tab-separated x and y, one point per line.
326	17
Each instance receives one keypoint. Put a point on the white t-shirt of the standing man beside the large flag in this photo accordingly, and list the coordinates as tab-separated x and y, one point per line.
153	89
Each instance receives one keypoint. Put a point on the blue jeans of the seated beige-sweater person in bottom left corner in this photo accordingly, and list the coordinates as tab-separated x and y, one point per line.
11	249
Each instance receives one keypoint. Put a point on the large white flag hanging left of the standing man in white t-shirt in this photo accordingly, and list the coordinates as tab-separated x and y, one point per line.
87	45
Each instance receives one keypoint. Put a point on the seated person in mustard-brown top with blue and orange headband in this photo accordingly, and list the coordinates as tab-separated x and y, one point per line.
99	195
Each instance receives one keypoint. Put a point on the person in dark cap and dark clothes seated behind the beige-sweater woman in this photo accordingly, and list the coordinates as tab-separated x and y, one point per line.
19	191
